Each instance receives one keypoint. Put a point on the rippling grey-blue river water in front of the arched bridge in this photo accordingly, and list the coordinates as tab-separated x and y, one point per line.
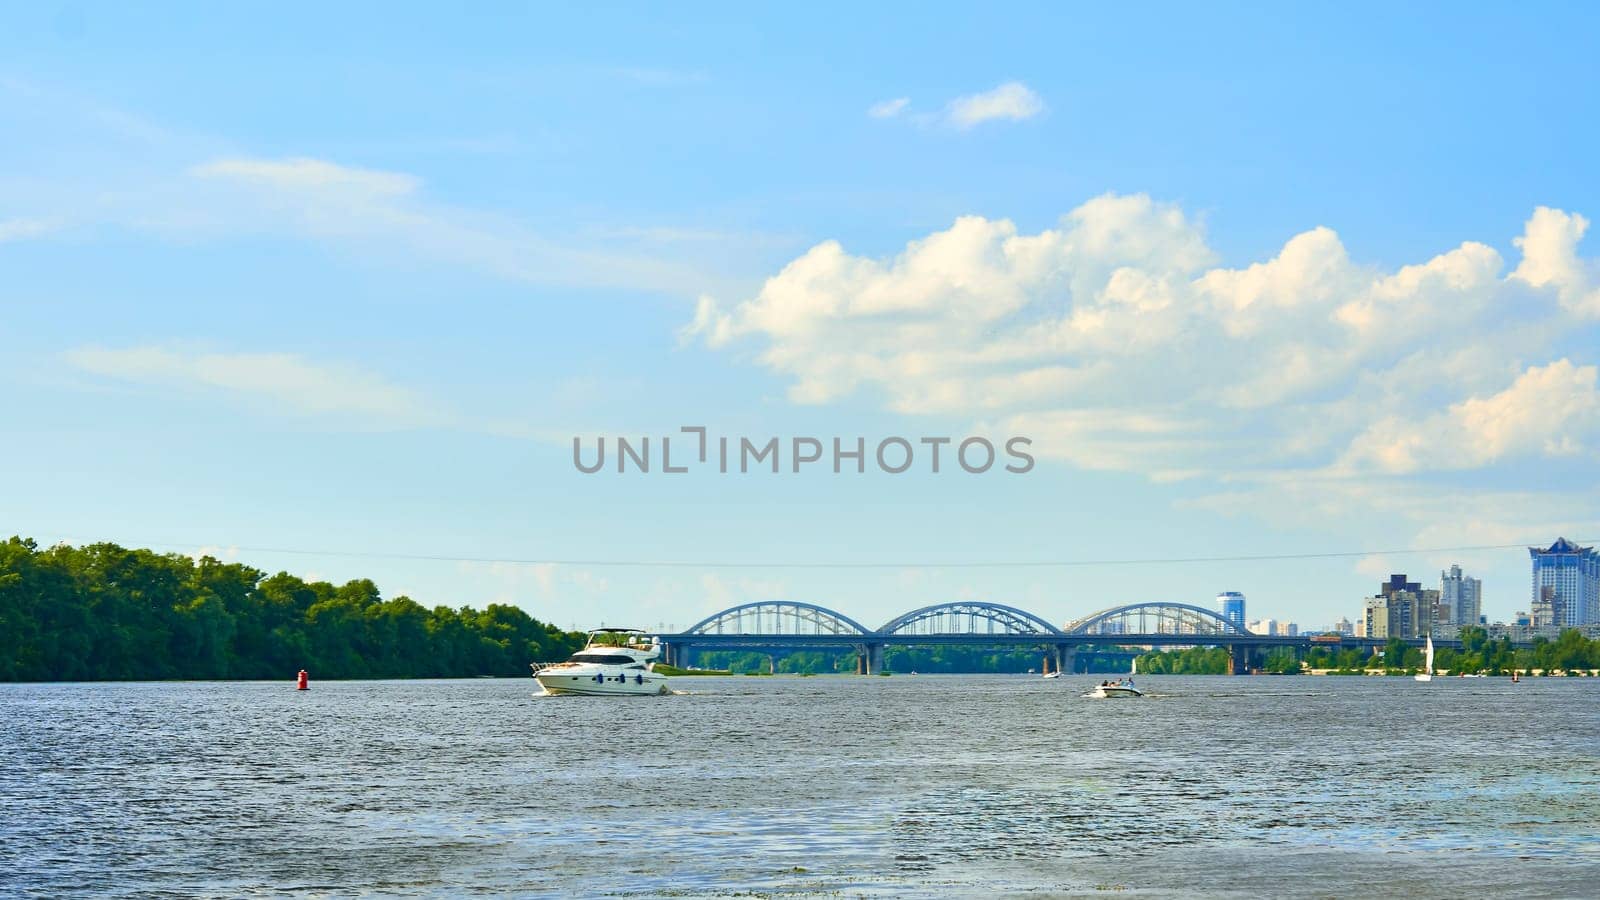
794	787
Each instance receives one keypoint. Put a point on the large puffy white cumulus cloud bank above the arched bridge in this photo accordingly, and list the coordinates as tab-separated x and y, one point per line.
1306	358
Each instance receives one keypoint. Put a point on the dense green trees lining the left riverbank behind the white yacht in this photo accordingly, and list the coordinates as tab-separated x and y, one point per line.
105	613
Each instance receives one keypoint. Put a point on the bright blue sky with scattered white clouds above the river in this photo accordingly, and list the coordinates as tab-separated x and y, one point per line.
1255	281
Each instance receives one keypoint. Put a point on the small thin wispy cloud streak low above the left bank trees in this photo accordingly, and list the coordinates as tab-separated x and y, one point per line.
284	382
